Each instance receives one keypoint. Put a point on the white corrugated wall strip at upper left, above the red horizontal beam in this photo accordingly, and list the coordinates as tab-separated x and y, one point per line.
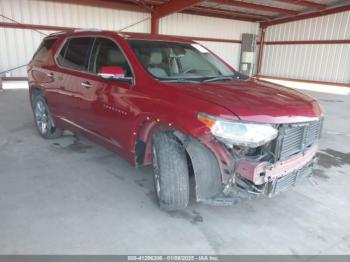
71	15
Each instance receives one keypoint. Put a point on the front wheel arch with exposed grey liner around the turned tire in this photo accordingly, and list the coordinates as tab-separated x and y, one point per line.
204	162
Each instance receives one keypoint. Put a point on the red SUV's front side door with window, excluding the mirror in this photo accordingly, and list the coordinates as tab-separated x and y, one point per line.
107	108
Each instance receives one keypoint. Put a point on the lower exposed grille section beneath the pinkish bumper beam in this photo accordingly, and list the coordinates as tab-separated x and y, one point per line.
284	183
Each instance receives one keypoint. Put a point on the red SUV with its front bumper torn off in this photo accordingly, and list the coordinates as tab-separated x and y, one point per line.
172	103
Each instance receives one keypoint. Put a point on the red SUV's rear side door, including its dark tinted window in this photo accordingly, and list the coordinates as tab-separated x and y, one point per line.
73	60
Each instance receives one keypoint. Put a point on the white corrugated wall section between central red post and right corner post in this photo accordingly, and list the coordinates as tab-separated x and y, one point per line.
200	26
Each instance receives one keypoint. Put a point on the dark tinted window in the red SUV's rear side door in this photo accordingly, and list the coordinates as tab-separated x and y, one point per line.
77	54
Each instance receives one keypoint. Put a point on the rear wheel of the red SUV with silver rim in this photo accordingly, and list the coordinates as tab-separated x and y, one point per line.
43	119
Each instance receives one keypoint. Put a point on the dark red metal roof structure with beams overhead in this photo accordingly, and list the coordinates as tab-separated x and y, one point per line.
265	12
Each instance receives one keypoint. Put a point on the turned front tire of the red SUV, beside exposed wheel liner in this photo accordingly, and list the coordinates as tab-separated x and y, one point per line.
170	172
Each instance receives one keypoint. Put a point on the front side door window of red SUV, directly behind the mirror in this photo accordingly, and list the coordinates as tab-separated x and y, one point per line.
107	53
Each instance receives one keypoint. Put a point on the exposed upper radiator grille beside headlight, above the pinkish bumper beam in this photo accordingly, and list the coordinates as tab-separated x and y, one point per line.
296	138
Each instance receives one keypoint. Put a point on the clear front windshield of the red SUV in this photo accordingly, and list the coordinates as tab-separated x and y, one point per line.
171	61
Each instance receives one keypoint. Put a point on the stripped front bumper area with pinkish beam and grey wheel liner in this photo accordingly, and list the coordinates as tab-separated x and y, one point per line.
222	180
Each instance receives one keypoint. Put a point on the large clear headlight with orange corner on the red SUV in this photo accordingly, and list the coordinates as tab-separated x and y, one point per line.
237	132
